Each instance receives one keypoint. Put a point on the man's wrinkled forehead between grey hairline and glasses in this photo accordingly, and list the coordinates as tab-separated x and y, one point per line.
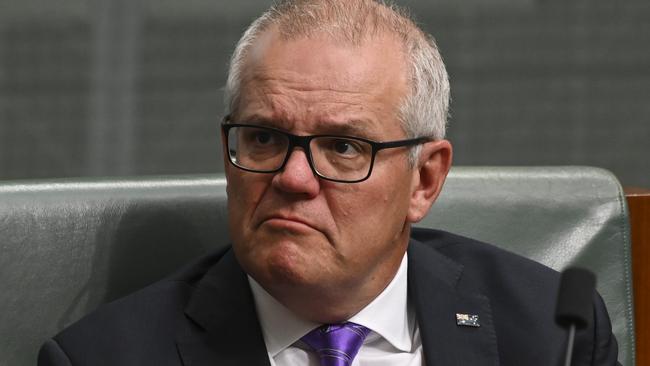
319	81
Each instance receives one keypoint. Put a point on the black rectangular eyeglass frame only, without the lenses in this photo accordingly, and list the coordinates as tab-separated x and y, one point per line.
304	141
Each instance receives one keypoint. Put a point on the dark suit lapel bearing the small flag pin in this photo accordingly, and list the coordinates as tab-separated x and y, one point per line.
439	292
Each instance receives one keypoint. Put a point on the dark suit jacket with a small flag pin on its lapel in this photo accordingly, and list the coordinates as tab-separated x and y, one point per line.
205	315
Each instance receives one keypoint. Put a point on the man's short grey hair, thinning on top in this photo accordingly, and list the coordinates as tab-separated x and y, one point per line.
423	111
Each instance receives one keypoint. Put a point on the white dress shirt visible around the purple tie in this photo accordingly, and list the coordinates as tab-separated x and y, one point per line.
394	338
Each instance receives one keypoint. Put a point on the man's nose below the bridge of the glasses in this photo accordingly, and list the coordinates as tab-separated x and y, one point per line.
297	176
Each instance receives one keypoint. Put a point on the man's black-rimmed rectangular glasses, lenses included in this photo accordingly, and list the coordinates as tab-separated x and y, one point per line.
343	159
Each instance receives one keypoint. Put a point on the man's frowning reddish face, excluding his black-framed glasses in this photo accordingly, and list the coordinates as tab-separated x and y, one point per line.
291	231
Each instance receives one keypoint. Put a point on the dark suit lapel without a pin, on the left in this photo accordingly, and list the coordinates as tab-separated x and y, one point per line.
221	326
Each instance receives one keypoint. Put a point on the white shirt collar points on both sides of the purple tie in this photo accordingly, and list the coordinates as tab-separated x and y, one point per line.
387	315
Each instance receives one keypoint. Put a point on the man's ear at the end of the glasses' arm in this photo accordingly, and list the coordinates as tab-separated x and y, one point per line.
429	176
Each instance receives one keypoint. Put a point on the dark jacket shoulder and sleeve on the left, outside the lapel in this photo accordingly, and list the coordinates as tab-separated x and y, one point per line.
137	329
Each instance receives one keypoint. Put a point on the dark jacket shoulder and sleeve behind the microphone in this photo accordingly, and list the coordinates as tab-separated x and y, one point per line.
522	294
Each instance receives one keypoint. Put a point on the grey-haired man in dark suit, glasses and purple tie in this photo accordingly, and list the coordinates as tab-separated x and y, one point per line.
334	141
